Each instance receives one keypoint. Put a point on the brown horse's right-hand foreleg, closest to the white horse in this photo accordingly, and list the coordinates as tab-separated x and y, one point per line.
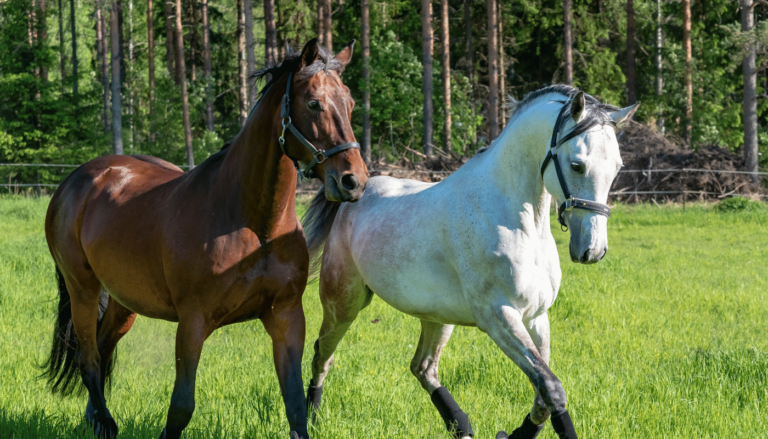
285	325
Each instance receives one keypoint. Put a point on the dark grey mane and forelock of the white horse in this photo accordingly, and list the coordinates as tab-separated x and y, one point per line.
596	112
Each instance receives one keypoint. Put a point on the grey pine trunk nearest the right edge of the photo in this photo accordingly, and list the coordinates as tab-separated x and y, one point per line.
750	94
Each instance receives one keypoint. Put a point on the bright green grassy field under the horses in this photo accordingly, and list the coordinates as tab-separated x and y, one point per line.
665	338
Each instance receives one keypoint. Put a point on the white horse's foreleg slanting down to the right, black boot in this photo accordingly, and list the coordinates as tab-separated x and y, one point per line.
505	326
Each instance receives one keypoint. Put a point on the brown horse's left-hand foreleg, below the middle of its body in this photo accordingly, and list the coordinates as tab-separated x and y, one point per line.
190	336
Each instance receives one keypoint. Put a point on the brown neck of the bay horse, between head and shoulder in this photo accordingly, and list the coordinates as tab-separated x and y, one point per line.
261	176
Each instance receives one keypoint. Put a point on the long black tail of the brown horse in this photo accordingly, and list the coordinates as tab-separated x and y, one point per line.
60	369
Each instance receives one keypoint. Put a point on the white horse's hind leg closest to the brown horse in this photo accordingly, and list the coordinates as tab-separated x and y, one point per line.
342	298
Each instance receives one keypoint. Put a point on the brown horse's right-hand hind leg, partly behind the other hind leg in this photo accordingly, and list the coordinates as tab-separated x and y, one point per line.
114	322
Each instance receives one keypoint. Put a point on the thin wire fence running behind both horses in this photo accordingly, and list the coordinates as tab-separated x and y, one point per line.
393	172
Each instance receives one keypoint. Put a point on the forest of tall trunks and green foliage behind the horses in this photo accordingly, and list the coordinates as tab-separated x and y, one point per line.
83	78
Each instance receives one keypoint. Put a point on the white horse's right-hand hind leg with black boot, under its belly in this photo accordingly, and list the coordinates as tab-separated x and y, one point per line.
424	366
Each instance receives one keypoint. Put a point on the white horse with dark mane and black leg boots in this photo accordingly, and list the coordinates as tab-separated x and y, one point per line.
476	249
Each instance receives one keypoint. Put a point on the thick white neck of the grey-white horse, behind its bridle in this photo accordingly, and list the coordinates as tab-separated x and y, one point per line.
514	161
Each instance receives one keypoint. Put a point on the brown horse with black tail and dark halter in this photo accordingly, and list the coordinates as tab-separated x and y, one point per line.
218	245
